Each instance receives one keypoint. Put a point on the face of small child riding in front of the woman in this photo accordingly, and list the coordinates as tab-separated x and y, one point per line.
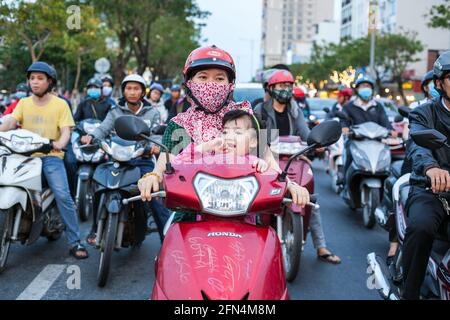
239	137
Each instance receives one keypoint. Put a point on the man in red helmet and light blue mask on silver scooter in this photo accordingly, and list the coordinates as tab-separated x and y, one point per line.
360	110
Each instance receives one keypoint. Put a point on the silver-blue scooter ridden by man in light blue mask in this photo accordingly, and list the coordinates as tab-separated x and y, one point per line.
370	167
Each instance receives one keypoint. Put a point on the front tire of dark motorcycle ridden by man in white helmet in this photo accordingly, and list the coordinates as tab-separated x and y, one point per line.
107	245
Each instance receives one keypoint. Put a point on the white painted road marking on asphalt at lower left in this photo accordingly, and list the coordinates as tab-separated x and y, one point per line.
42	283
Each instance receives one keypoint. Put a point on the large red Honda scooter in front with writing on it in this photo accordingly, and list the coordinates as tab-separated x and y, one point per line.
221	256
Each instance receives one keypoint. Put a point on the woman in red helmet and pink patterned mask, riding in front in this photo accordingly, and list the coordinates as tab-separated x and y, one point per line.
209	75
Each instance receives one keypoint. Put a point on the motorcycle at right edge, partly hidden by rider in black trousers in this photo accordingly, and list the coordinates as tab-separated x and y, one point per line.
388	280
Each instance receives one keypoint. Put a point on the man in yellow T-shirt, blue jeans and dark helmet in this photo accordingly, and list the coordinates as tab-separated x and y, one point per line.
49	116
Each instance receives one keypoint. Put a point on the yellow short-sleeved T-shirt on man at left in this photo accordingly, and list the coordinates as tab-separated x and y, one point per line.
45	121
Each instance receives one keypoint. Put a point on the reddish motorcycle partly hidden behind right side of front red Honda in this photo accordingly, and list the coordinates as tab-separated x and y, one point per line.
294	221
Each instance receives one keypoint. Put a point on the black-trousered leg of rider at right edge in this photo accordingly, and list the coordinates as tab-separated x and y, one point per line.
425	215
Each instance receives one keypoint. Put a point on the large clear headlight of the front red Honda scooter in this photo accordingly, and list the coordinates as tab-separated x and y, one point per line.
225	197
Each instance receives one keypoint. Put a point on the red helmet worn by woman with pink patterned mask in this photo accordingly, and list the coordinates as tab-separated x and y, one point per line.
209	57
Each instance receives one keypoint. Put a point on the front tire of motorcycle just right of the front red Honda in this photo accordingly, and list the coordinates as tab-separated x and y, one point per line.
293	242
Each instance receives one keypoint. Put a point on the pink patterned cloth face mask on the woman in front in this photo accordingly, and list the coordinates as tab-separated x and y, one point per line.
211	95
